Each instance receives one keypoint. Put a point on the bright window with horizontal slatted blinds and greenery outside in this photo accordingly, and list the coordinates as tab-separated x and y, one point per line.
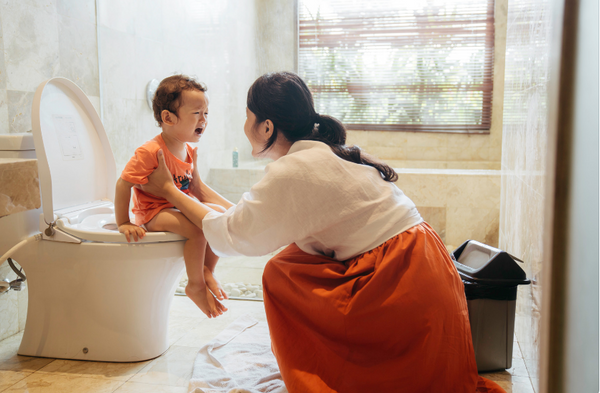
423	65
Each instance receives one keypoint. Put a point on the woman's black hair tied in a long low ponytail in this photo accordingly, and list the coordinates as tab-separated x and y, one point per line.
285	99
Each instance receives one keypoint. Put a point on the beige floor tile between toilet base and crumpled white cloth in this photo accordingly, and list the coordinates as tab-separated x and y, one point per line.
173	368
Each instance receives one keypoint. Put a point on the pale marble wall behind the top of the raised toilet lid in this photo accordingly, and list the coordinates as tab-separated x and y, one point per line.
41	39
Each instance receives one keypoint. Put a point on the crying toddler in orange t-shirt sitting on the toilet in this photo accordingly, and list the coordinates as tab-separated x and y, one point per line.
181	109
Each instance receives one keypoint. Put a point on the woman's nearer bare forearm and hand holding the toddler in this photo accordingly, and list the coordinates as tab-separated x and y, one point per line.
160	183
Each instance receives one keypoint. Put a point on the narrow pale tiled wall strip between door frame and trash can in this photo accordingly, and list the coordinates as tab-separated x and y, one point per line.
523	160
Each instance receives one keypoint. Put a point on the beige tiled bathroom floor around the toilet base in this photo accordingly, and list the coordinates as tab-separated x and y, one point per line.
189	330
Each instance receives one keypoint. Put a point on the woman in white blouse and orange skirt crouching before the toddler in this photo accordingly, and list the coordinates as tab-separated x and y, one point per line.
365	298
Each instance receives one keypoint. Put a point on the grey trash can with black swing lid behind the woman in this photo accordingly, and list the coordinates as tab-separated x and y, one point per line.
491	277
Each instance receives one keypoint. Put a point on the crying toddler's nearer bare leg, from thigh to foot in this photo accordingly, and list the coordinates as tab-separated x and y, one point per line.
194	255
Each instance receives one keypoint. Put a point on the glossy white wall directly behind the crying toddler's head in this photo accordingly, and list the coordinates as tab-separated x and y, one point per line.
158	38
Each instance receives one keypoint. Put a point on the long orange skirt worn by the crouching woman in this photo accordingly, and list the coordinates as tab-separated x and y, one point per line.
393	319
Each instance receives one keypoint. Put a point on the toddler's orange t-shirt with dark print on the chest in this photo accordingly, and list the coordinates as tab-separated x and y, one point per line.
143	163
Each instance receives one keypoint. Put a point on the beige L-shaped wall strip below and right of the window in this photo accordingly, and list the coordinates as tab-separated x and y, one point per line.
454	151
